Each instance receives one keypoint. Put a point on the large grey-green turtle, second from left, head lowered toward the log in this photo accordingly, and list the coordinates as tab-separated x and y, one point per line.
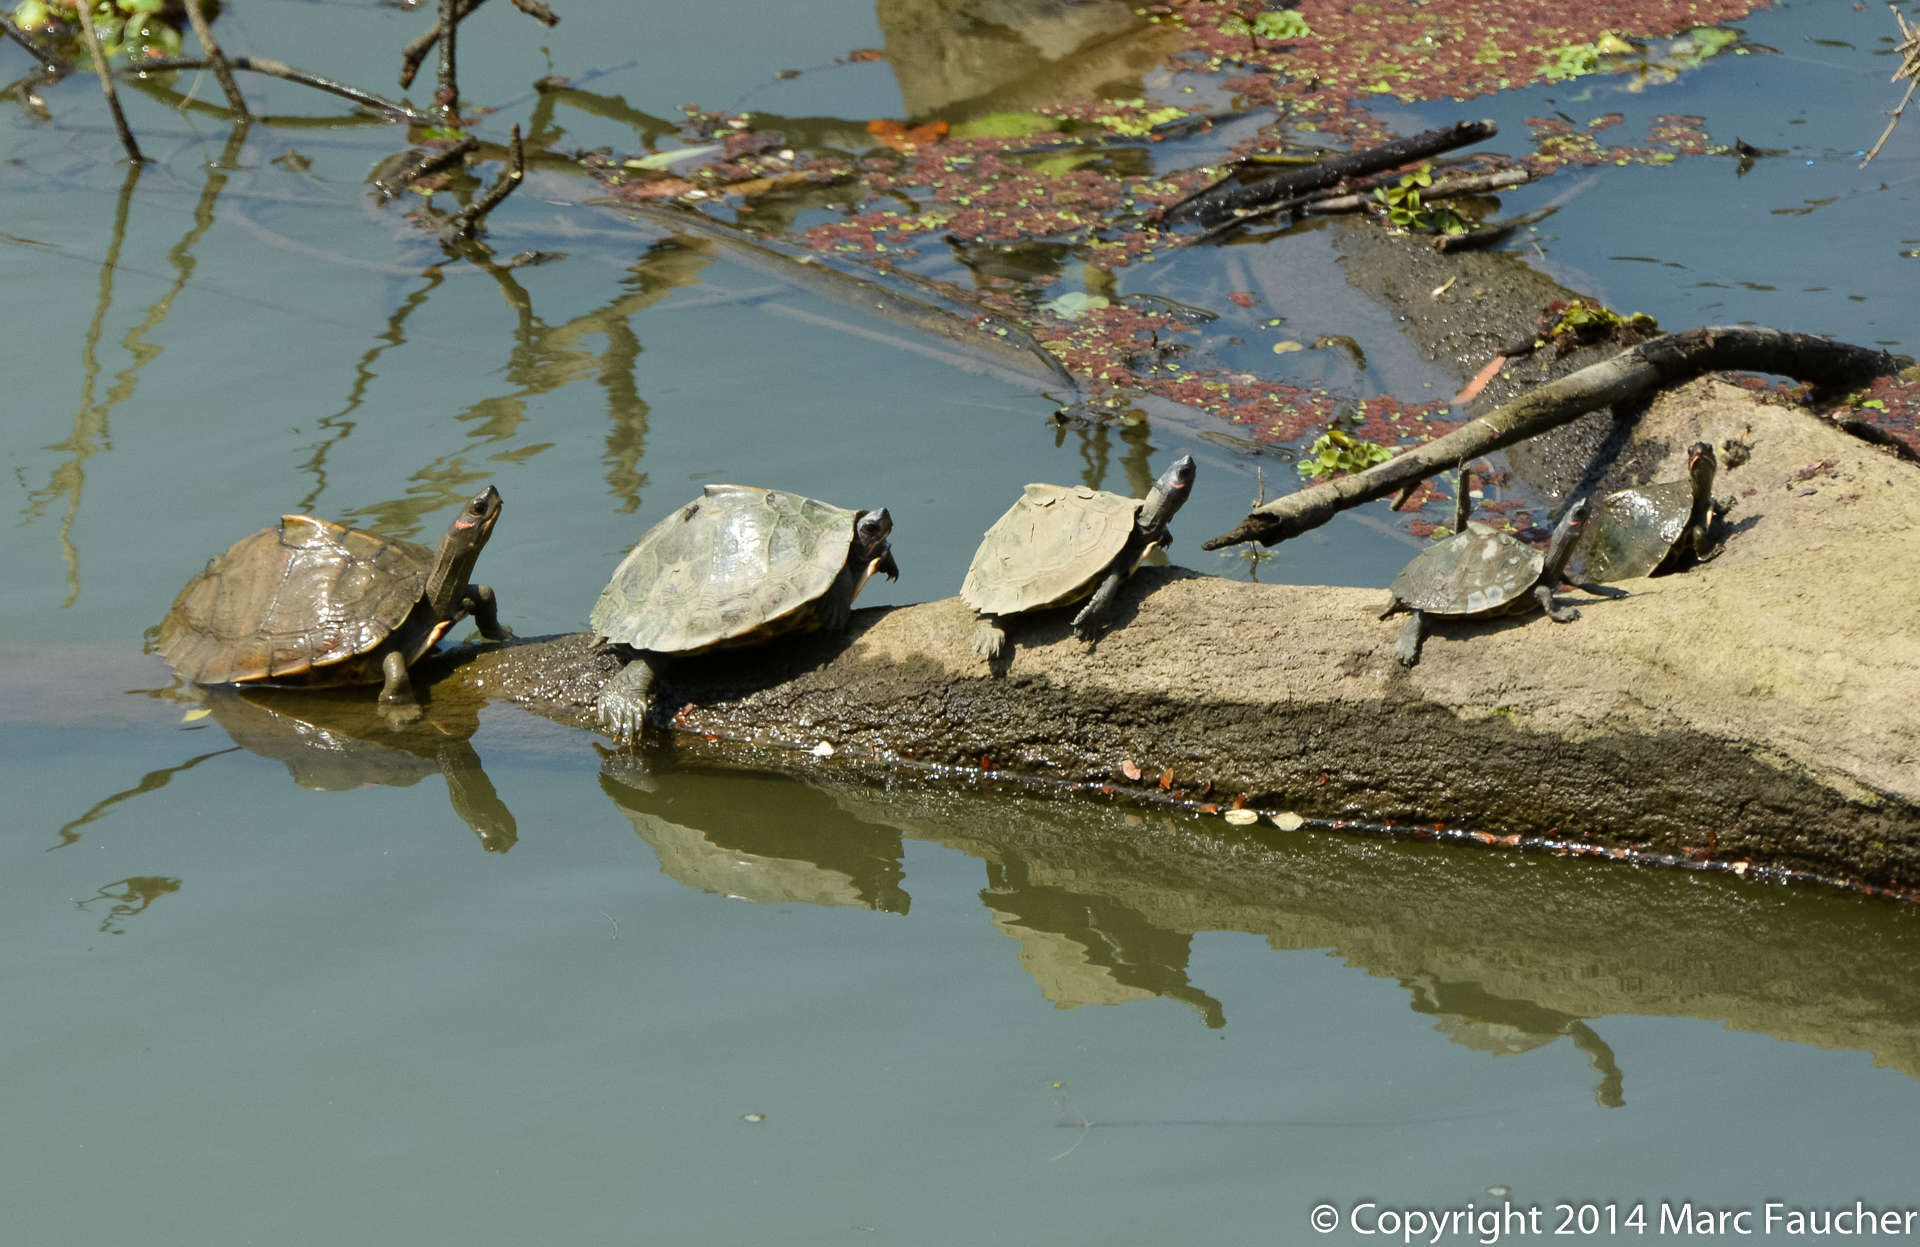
738	566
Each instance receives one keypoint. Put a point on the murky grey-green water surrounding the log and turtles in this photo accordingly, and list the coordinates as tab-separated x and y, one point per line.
274	996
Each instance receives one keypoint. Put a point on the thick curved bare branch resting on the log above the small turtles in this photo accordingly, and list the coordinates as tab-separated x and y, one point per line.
1633	374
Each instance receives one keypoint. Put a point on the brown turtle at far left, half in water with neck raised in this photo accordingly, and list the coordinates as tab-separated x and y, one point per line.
312	604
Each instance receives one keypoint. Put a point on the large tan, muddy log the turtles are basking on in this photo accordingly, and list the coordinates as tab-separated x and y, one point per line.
1756	712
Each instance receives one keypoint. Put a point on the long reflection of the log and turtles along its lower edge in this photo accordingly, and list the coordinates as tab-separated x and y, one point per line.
1508	956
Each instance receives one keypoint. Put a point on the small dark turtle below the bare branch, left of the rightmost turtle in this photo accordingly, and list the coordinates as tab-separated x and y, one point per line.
1479	574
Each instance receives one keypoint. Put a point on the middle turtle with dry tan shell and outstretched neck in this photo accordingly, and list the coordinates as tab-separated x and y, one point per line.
1061	545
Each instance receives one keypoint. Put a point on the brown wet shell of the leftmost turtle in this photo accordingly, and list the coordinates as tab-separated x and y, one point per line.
304	602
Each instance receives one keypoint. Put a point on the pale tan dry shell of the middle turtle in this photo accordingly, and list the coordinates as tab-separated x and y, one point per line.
1049	549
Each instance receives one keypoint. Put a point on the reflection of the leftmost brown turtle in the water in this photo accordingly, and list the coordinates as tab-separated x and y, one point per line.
337	745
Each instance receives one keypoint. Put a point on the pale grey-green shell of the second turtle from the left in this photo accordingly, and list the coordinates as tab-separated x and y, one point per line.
734	568
